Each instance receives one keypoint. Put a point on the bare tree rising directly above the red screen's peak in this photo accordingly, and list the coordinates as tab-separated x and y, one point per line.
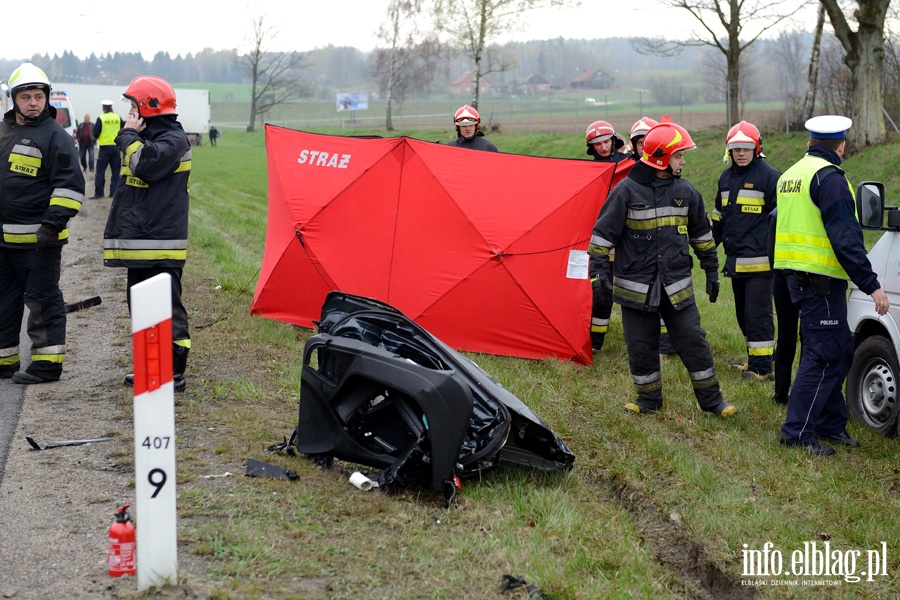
409	62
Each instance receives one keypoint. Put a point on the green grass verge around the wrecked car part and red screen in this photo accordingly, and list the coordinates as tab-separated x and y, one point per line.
654	507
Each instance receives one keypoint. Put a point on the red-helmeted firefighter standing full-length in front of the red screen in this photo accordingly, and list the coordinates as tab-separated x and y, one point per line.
651	218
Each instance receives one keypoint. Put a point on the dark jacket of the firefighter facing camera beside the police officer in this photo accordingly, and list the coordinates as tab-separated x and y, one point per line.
744	199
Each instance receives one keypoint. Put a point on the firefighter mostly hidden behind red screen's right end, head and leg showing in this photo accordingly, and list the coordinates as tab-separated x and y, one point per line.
603	145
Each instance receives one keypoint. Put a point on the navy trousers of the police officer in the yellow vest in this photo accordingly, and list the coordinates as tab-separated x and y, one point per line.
816	406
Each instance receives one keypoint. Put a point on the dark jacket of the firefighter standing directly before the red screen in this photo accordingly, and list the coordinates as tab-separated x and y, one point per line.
651	222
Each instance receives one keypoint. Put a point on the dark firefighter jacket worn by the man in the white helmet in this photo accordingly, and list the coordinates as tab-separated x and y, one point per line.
40	180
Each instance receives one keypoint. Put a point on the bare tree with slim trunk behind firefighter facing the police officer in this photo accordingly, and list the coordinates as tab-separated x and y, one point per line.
729	26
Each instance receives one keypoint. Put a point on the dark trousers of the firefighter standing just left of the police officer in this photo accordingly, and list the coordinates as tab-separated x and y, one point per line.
753	307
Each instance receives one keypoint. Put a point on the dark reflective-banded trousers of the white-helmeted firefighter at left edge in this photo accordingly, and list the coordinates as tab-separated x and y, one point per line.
31	278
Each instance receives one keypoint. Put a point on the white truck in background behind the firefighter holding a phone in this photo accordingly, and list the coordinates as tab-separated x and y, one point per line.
192	106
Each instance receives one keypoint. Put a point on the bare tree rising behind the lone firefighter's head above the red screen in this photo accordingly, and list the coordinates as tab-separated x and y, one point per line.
474	24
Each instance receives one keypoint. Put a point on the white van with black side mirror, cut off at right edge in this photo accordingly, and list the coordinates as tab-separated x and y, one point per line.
873	384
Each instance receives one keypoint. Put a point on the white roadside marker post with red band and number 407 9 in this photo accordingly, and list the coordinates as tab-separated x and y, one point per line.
154	432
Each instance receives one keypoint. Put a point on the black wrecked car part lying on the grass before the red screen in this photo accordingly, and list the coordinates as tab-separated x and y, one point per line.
379	390
